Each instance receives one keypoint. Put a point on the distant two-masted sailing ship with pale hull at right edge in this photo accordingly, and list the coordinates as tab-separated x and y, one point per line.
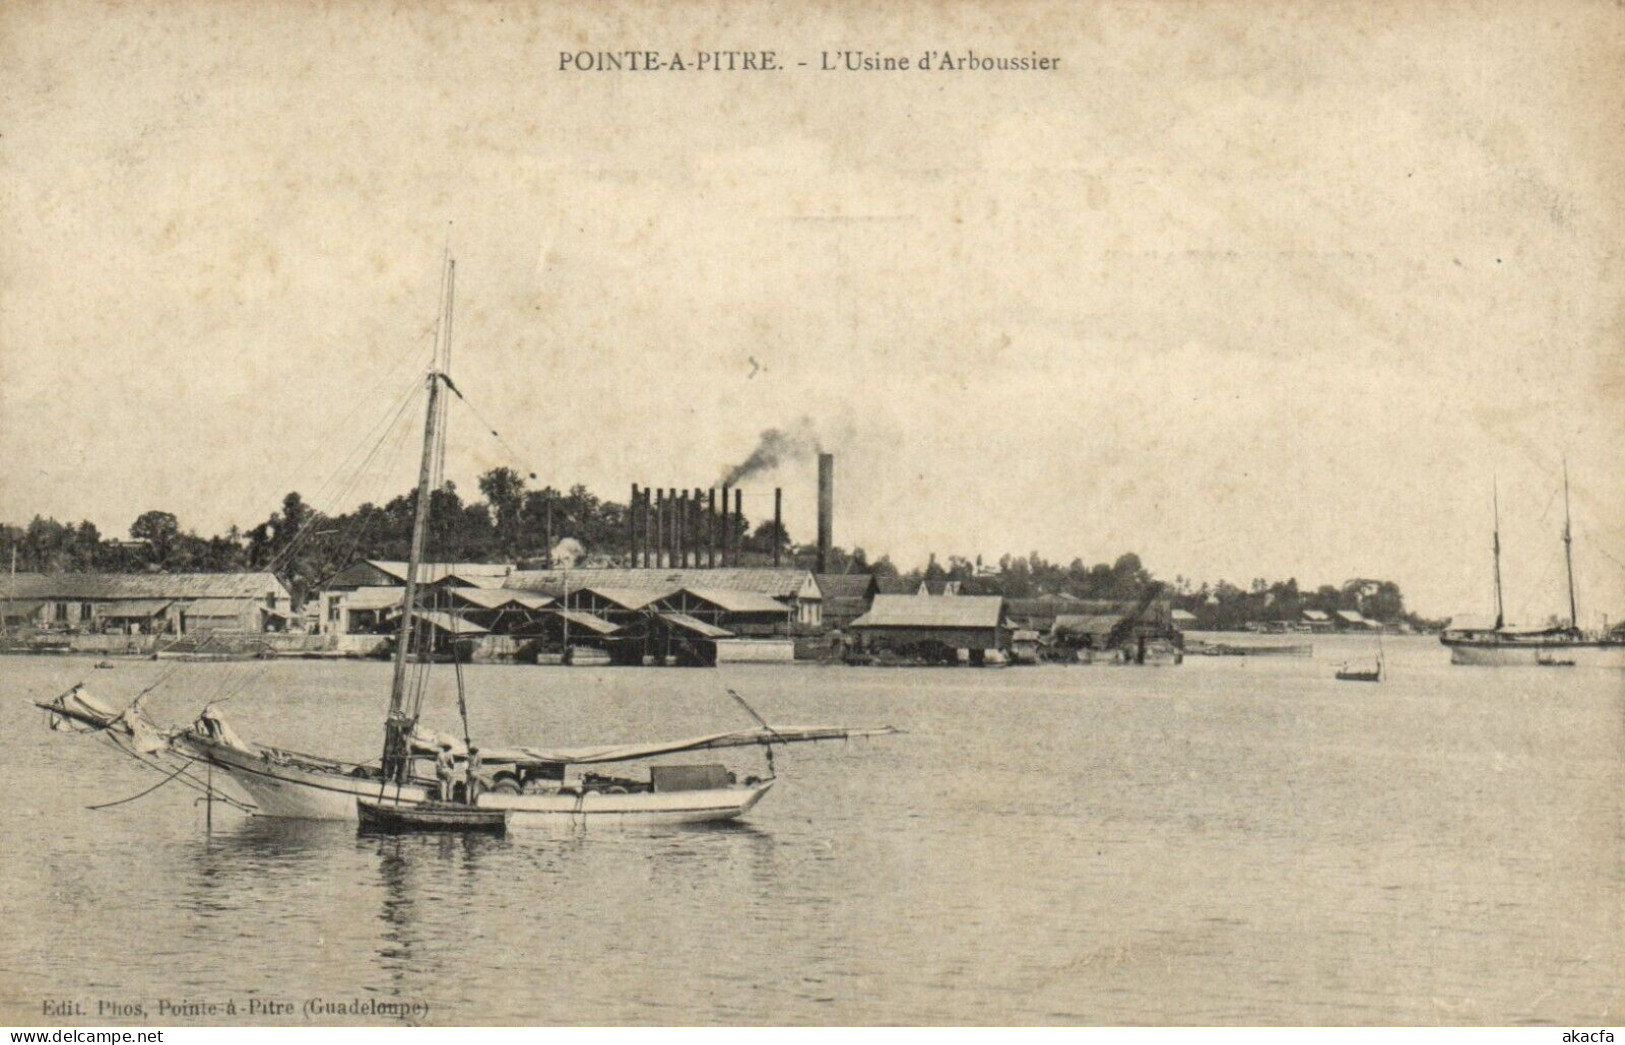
1551	646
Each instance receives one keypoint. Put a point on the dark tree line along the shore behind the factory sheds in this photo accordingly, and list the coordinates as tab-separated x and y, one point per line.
513	522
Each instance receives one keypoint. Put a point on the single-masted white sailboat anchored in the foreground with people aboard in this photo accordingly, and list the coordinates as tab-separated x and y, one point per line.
514	784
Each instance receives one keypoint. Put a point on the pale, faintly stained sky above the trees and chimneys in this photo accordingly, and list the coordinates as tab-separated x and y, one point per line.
1250	290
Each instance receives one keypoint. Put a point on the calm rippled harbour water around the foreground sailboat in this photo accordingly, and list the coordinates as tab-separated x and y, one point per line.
1231	841
